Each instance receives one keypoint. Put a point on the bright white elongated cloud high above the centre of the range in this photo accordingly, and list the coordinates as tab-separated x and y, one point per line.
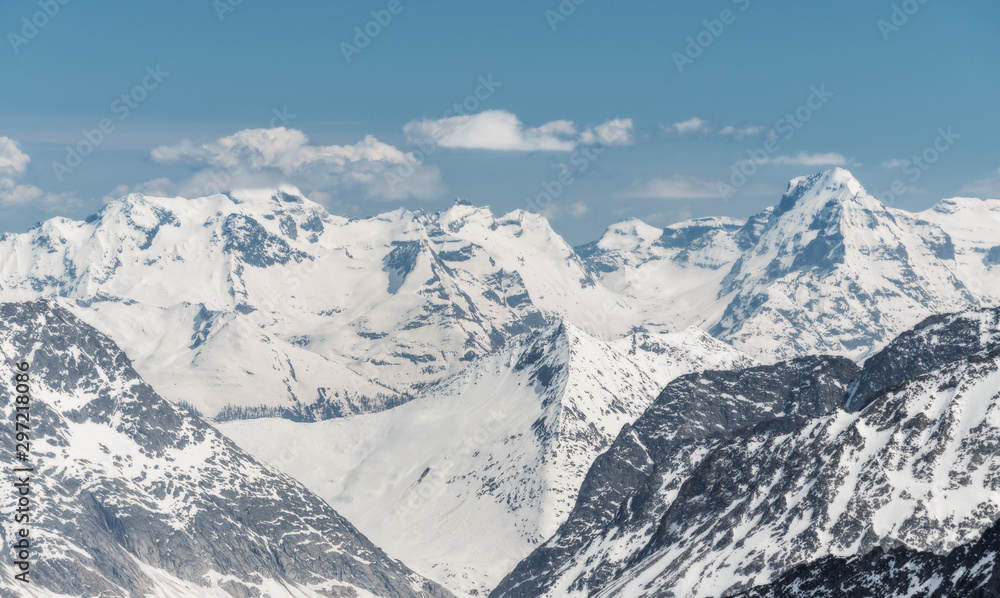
493	130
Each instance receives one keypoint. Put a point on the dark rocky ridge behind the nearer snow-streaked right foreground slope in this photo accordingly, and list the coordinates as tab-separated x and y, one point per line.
654	456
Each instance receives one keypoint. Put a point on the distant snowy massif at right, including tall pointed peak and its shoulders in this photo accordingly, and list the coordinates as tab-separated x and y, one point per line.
830	269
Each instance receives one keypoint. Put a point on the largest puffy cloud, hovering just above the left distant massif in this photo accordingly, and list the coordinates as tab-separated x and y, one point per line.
268	157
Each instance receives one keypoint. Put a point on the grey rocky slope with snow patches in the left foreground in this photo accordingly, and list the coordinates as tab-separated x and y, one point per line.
133	496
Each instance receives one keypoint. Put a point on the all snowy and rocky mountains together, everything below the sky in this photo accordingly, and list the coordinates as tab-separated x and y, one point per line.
713	408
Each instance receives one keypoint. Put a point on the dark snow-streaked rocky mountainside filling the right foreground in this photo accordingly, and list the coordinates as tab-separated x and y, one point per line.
915	468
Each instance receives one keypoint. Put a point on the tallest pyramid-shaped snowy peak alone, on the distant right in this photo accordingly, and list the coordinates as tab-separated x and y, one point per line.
835	271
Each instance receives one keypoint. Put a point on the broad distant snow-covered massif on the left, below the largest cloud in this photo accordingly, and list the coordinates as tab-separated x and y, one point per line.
329	316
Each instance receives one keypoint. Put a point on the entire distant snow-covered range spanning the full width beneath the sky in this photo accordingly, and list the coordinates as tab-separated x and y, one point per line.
332	316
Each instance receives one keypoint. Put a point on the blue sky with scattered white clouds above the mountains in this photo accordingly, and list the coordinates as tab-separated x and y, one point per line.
591	112
